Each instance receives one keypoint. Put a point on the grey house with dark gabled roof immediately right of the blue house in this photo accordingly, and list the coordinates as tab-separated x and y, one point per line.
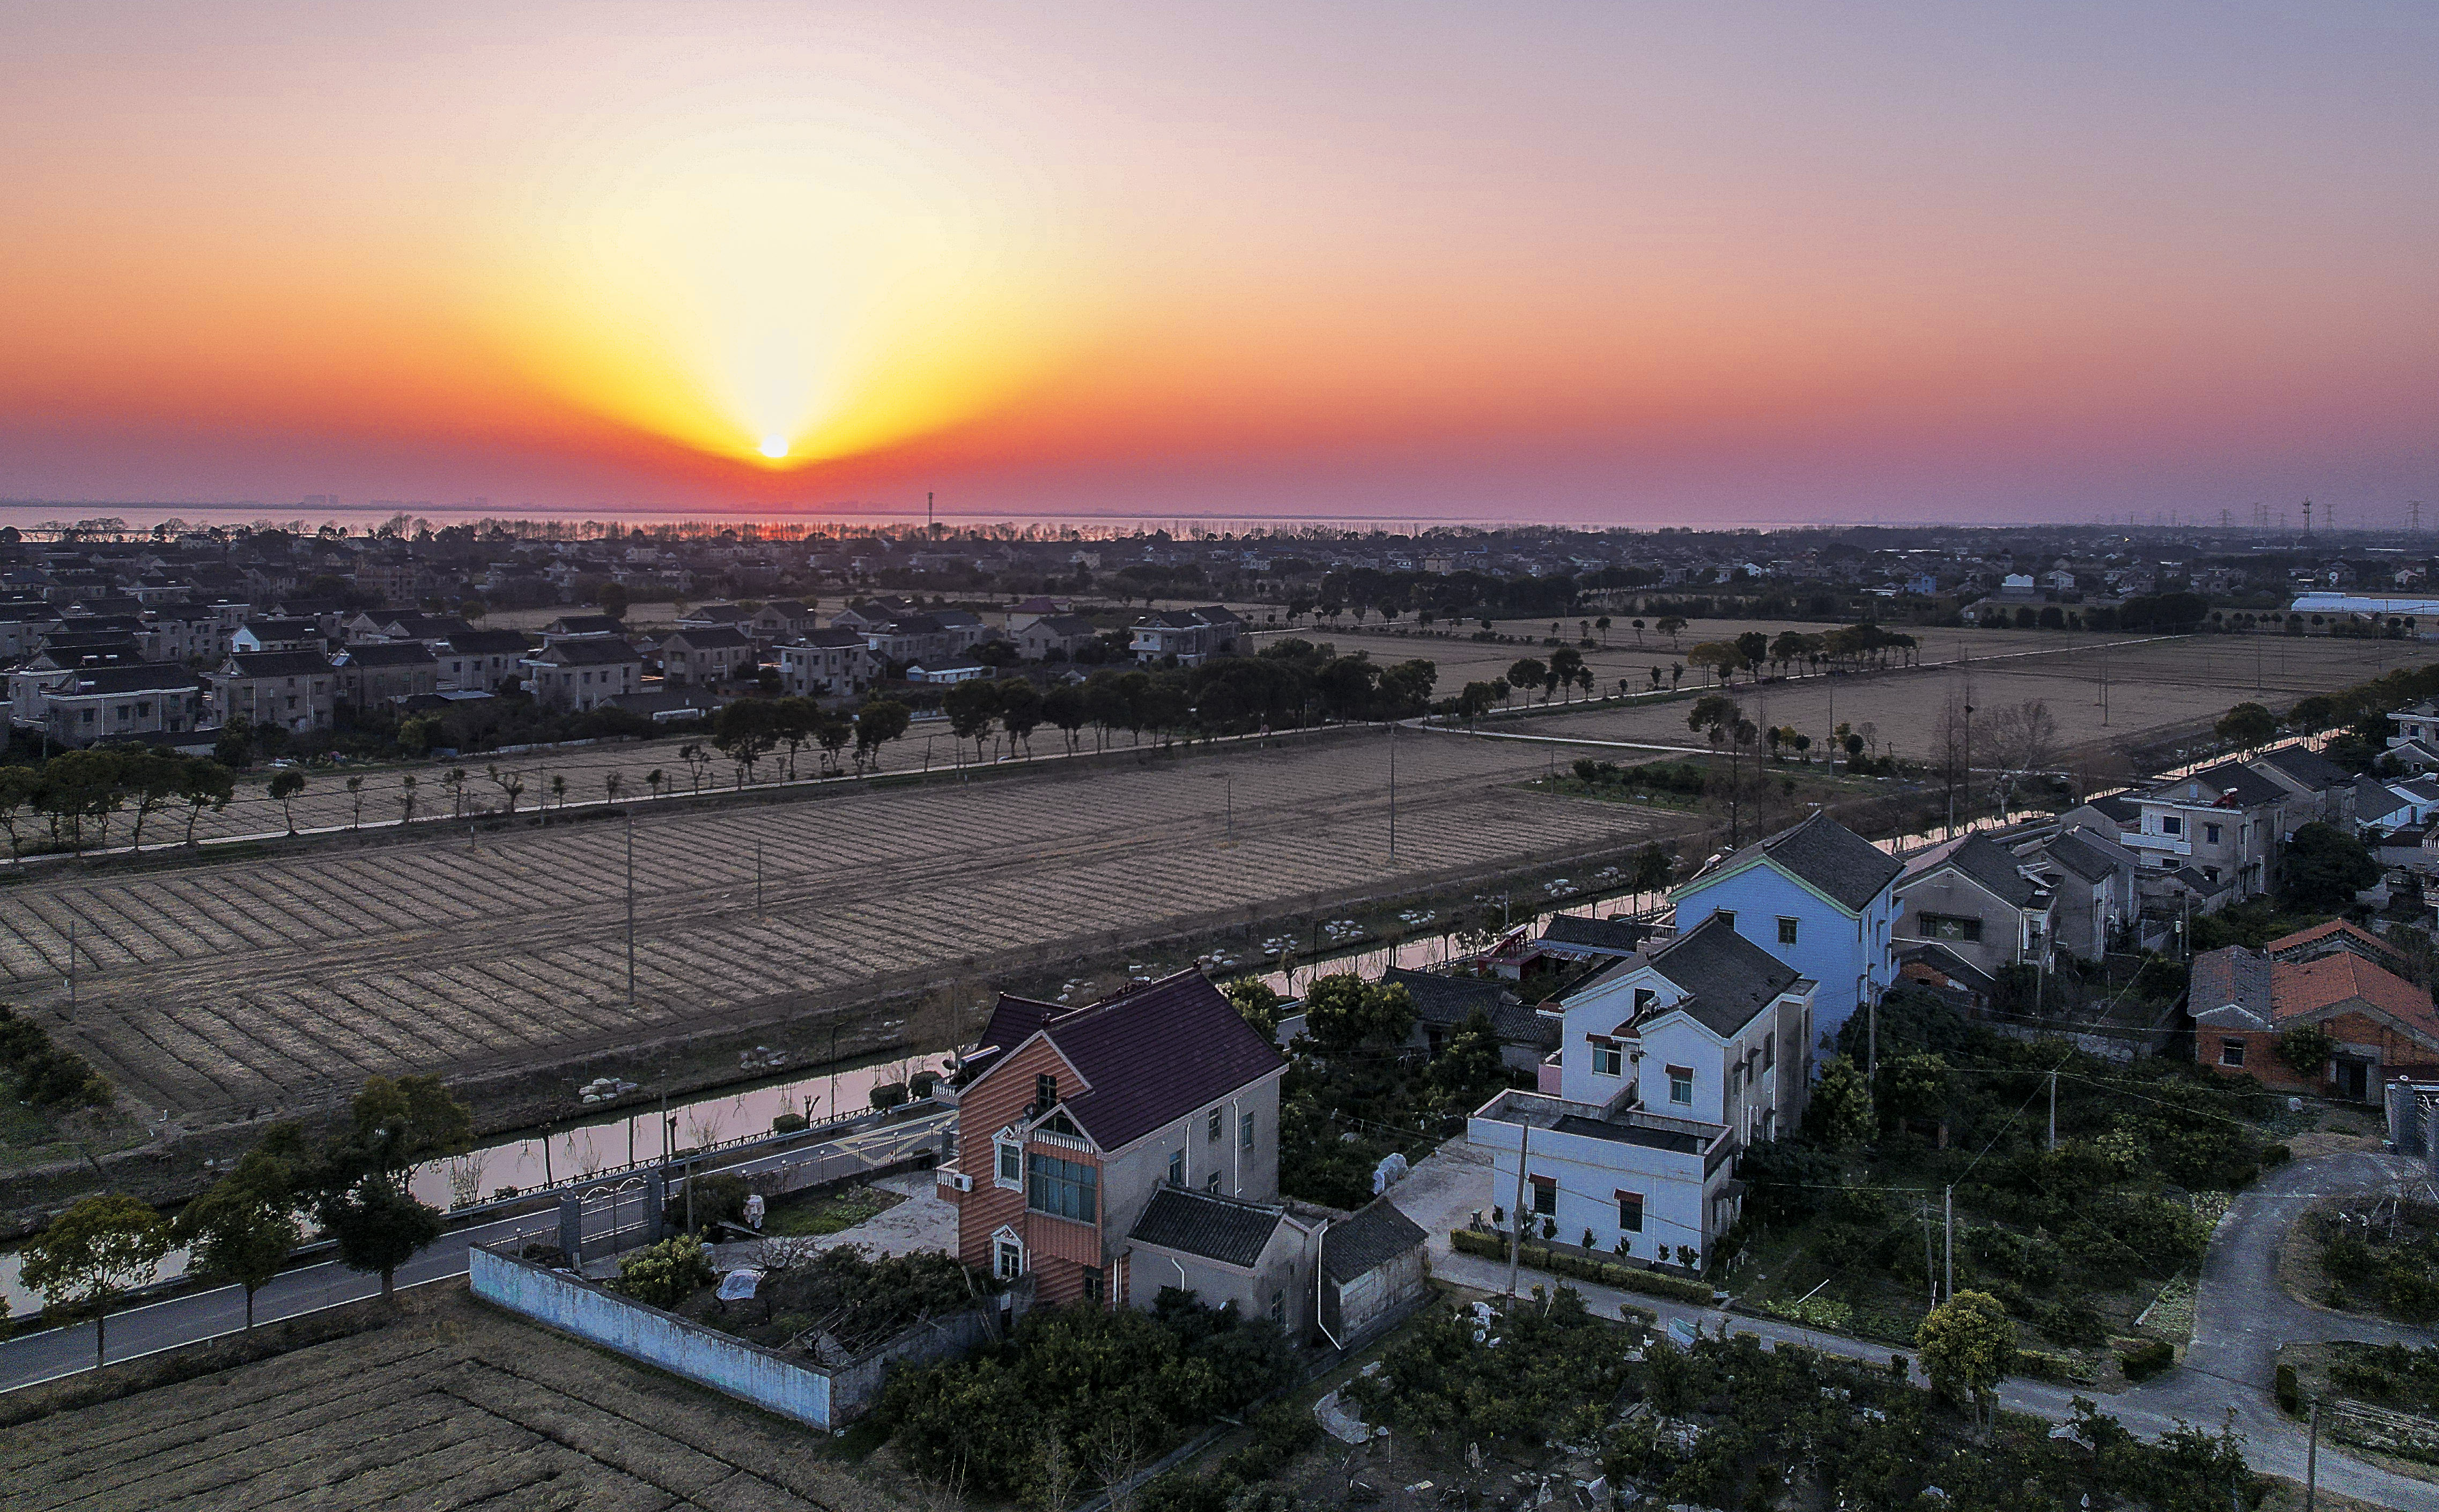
1969	911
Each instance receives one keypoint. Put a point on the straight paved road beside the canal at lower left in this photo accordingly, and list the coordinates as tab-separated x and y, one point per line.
194	1318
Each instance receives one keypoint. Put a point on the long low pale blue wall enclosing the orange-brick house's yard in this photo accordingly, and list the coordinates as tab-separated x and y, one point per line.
804	1391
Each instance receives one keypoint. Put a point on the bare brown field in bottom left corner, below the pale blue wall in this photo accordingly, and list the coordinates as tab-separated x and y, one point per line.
455	1406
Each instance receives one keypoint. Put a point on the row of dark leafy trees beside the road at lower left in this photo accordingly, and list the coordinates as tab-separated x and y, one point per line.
352	1184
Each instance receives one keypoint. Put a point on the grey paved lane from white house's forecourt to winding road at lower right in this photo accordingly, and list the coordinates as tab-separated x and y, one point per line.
2243	1316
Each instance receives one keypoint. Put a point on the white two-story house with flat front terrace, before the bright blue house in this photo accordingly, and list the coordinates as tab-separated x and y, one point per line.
1669	1064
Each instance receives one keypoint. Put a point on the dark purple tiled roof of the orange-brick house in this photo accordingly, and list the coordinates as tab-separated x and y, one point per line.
1155	1055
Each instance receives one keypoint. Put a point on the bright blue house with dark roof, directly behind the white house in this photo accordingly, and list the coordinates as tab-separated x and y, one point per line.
1821	899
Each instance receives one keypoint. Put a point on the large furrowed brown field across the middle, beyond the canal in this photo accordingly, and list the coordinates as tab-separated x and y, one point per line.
284	982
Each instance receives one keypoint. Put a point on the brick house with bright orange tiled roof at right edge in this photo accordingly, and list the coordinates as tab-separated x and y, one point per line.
2335	977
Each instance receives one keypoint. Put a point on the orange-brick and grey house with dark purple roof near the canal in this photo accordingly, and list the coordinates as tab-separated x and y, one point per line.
1128	1145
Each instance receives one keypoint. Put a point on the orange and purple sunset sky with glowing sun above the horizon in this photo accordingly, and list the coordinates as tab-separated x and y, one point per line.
1633	265
